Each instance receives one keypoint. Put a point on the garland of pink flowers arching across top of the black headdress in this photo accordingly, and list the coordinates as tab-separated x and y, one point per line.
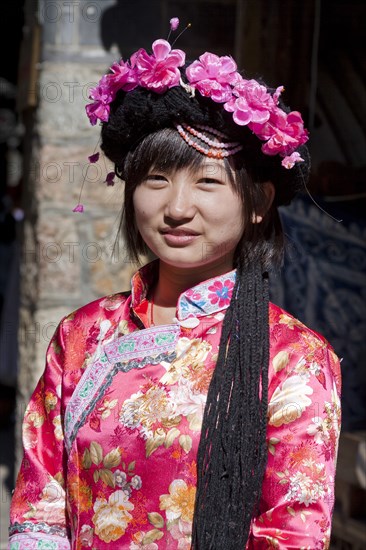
214	77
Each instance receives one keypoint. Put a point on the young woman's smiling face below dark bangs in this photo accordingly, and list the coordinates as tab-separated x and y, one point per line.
190	218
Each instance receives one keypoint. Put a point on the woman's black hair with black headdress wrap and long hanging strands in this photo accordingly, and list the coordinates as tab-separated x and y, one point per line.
141	134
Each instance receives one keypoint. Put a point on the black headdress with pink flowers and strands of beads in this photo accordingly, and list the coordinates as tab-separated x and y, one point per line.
156	90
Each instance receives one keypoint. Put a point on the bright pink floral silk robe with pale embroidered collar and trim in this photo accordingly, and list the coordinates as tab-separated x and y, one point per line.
111	432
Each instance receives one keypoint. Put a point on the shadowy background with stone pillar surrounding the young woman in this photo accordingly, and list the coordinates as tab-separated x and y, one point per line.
53	260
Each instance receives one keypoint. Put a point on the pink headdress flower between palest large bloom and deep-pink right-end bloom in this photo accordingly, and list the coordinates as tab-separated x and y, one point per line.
250	103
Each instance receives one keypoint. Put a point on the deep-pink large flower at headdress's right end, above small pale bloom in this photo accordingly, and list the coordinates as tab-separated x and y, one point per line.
283	133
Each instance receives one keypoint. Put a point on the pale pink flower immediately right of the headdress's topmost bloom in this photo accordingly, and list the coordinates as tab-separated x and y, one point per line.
213	76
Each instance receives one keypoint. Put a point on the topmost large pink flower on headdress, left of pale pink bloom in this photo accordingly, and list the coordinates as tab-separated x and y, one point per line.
159	71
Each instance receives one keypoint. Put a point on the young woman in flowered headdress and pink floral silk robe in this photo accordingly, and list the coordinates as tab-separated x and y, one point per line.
189	412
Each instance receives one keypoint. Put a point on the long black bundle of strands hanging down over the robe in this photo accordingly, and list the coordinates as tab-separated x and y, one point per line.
232	451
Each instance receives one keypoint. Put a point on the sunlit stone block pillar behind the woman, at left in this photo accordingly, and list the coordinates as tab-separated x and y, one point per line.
66	258
